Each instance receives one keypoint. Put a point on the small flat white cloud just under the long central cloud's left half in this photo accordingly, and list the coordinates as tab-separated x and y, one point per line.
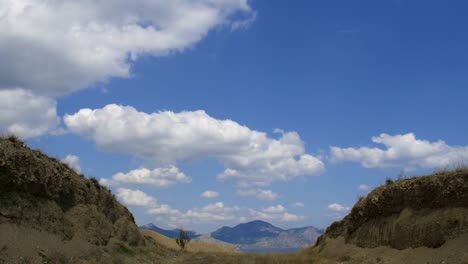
160	177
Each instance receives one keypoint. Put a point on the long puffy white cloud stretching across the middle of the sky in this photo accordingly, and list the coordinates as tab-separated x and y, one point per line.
249	156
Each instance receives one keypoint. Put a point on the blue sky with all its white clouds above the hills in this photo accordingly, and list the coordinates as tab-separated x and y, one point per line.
327	73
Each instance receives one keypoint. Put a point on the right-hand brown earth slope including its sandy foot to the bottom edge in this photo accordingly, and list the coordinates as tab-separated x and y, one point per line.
404	218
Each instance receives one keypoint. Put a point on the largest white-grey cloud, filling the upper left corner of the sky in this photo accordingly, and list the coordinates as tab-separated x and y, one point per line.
56	47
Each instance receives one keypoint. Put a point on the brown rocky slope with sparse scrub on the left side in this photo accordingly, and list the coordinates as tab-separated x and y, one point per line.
47	207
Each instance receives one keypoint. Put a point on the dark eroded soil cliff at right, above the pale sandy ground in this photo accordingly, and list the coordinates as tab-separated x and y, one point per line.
423	211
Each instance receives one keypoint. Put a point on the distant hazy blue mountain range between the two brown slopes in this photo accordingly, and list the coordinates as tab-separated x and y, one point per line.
254	236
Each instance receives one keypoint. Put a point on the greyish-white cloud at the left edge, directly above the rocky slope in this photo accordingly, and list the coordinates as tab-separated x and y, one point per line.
26	114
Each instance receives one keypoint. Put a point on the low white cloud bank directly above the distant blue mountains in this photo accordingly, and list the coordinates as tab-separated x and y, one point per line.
219	212
